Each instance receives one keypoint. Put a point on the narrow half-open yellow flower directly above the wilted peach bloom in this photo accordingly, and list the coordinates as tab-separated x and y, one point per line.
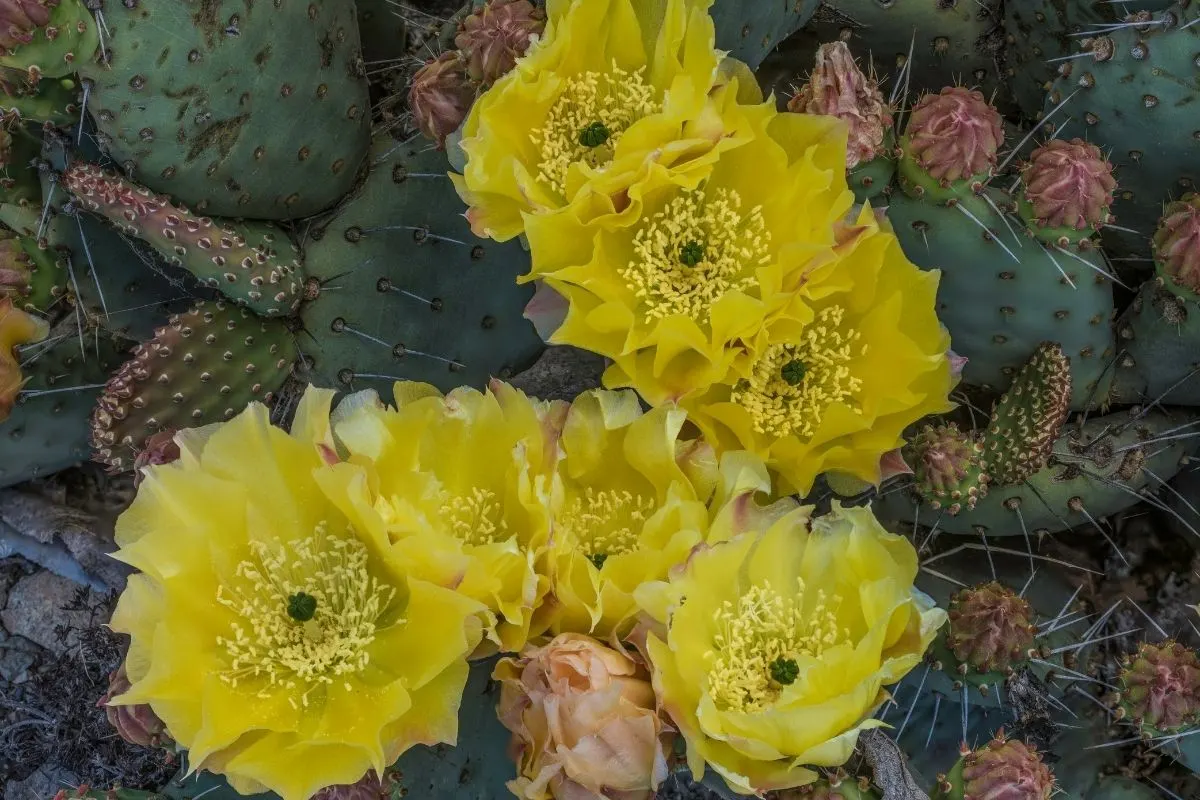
629	504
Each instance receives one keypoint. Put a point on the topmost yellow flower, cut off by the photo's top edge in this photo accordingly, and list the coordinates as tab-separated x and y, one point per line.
614	92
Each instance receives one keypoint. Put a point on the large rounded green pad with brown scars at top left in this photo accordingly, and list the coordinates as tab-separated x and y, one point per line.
232	109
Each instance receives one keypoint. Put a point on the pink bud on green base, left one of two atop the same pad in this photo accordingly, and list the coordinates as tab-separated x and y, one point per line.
951	145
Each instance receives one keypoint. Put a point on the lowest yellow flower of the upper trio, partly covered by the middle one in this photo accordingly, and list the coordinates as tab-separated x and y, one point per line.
857	358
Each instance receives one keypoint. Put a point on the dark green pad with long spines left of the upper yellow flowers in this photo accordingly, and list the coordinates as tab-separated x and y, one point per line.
407	293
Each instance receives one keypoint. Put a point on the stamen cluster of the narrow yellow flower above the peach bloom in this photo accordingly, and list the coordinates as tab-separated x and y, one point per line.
604	524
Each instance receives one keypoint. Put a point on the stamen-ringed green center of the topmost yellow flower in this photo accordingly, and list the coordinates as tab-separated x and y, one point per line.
589	119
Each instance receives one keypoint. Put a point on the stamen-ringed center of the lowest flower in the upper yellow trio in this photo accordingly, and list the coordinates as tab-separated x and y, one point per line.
793	386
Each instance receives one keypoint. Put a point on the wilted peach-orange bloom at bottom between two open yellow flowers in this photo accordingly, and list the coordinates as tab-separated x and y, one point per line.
584	723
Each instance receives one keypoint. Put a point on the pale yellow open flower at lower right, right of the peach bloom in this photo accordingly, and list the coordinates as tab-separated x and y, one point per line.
772	648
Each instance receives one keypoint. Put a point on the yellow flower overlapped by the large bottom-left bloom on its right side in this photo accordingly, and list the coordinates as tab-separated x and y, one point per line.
459	485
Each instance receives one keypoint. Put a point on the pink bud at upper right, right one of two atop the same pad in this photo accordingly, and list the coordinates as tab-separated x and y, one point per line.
1066	193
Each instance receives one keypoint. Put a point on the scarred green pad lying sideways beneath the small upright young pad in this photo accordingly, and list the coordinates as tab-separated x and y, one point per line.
1096	471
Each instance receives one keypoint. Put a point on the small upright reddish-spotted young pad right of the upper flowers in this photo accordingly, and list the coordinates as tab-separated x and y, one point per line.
1025	423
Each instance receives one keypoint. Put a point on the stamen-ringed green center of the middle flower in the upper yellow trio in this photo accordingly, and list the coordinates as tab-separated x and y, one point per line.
695	251
